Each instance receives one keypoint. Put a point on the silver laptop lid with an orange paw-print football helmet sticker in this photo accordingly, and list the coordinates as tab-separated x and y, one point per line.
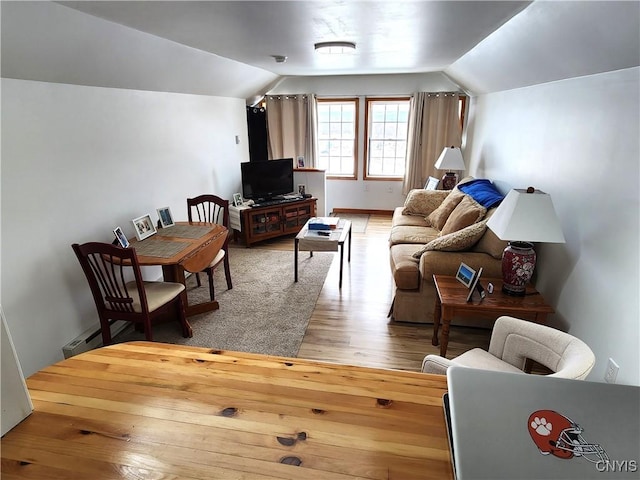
519	426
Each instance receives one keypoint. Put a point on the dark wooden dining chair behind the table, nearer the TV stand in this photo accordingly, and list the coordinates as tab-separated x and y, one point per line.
213	209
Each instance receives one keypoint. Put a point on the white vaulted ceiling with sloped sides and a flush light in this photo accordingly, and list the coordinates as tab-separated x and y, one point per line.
227	48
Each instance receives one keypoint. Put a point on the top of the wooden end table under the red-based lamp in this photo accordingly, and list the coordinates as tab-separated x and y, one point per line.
454	293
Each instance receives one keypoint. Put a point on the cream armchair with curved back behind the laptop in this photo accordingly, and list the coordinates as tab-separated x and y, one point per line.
513	341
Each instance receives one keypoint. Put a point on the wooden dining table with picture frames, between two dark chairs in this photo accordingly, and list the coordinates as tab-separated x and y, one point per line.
183	247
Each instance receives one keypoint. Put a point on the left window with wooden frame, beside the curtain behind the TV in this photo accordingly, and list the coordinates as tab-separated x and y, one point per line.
337	136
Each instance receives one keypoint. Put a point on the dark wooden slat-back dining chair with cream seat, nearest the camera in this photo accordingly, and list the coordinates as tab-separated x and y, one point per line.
120	293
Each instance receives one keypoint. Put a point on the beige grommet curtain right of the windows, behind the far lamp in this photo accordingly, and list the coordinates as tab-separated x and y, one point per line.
434	123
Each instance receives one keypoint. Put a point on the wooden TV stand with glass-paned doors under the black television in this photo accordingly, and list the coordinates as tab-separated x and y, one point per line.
261	223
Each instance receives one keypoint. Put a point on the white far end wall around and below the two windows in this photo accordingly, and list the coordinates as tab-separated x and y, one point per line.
360	194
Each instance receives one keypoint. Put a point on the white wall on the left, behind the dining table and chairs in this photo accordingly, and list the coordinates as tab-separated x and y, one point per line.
79	161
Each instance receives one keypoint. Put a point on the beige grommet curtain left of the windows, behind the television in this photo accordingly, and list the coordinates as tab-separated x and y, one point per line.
291	127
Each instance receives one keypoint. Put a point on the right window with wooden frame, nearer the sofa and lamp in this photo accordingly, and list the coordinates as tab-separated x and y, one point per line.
387	123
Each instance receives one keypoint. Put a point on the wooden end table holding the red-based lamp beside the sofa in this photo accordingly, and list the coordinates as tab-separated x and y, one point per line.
452	301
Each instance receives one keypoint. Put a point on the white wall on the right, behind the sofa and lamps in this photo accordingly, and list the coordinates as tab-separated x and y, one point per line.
578	141
